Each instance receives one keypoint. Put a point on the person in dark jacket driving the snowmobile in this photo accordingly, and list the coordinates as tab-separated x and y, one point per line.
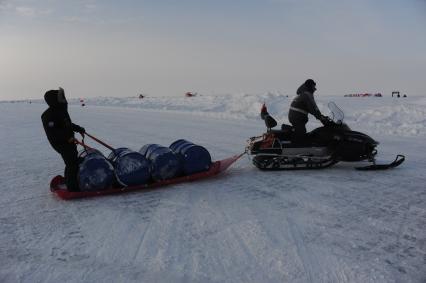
302	105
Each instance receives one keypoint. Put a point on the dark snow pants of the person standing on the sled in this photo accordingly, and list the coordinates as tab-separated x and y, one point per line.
70	156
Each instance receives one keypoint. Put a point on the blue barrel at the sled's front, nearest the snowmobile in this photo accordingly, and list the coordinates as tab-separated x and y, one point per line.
194	158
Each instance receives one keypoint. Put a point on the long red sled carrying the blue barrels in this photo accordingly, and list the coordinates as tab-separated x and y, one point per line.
216	168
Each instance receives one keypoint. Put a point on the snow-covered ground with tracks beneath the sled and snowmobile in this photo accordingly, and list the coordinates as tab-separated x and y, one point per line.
332	225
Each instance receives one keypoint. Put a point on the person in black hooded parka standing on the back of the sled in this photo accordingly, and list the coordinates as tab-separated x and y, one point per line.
60	133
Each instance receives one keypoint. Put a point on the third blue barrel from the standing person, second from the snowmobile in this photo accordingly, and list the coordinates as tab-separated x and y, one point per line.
164	162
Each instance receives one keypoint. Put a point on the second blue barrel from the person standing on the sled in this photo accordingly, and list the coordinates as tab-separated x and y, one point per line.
131	167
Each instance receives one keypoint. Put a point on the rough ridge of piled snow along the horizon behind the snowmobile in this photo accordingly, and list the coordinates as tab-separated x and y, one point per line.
377	115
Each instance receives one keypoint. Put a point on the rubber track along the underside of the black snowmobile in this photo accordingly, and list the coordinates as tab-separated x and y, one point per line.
278	163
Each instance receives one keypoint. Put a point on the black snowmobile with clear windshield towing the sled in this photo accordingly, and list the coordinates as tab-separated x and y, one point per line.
325	146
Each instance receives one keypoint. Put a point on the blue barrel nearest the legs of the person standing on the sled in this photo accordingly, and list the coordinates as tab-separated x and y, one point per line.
96	173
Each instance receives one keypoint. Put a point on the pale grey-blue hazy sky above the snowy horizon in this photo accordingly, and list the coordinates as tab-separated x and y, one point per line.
165	48
